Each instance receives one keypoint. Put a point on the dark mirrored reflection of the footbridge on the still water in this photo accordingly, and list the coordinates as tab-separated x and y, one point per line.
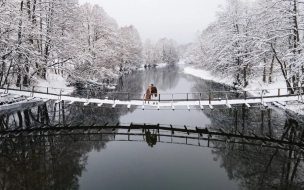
165	134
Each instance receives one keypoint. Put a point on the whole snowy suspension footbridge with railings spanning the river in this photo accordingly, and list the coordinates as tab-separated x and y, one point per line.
172	100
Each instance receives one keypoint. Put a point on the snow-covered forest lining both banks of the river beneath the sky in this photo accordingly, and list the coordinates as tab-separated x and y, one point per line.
249	40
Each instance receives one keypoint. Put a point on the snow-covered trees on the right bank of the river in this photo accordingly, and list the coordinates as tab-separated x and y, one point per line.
250	40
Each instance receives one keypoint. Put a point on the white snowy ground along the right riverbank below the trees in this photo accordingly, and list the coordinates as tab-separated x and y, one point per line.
254	88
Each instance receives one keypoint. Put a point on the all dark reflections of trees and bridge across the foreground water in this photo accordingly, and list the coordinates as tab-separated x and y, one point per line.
56	158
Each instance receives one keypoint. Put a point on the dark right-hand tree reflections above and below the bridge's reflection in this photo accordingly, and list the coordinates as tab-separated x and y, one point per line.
260	167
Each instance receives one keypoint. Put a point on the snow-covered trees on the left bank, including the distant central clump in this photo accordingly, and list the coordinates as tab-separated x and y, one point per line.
80	42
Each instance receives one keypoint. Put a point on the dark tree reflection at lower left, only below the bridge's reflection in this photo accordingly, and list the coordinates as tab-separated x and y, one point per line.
41	163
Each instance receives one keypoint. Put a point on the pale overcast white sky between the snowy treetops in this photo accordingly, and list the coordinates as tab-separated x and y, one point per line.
154	19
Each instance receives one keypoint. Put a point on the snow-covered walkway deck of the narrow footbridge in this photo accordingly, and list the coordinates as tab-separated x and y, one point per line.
172	103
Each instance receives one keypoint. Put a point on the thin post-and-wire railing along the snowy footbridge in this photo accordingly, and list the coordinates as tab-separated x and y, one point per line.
193	96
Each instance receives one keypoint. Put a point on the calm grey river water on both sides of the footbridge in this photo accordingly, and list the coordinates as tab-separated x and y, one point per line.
69	158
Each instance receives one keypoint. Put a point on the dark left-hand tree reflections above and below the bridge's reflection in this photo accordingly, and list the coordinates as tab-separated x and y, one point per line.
50	162
